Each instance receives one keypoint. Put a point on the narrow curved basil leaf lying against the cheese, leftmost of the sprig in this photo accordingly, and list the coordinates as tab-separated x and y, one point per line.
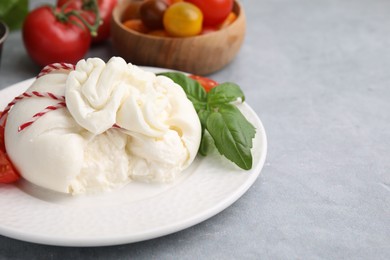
194	91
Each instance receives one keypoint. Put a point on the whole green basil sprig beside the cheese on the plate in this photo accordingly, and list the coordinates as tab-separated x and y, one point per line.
223	124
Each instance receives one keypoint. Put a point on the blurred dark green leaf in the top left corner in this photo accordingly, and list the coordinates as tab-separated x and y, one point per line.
13	12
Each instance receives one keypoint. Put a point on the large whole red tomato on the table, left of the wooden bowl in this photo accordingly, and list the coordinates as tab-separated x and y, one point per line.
49	40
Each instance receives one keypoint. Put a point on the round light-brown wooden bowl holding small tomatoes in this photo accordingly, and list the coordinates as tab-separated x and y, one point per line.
201	55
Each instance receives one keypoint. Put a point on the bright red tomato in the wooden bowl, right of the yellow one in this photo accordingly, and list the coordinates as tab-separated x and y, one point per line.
214	11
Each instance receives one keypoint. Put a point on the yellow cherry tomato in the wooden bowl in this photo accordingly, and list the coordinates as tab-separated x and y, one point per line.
183	19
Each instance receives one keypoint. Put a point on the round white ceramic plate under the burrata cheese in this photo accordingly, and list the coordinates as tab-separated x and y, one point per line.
134	213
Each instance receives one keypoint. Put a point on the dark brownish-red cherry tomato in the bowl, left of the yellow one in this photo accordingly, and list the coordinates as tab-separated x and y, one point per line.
152	12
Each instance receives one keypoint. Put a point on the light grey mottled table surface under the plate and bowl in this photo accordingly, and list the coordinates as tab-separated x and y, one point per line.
318	75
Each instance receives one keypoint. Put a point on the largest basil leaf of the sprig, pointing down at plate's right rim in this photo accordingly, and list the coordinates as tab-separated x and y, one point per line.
232	134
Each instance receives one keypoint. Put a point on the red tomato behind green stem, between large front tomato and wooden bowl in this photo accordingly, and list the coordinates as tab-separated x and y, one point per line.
105	9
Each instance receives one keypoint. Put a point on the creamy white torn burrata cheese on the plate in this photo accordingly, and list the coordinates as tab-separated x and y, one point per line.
121	123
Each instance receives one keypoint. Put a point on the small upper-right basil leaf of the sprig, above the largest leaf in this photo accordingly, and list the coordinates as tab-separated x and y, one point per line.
225	93
